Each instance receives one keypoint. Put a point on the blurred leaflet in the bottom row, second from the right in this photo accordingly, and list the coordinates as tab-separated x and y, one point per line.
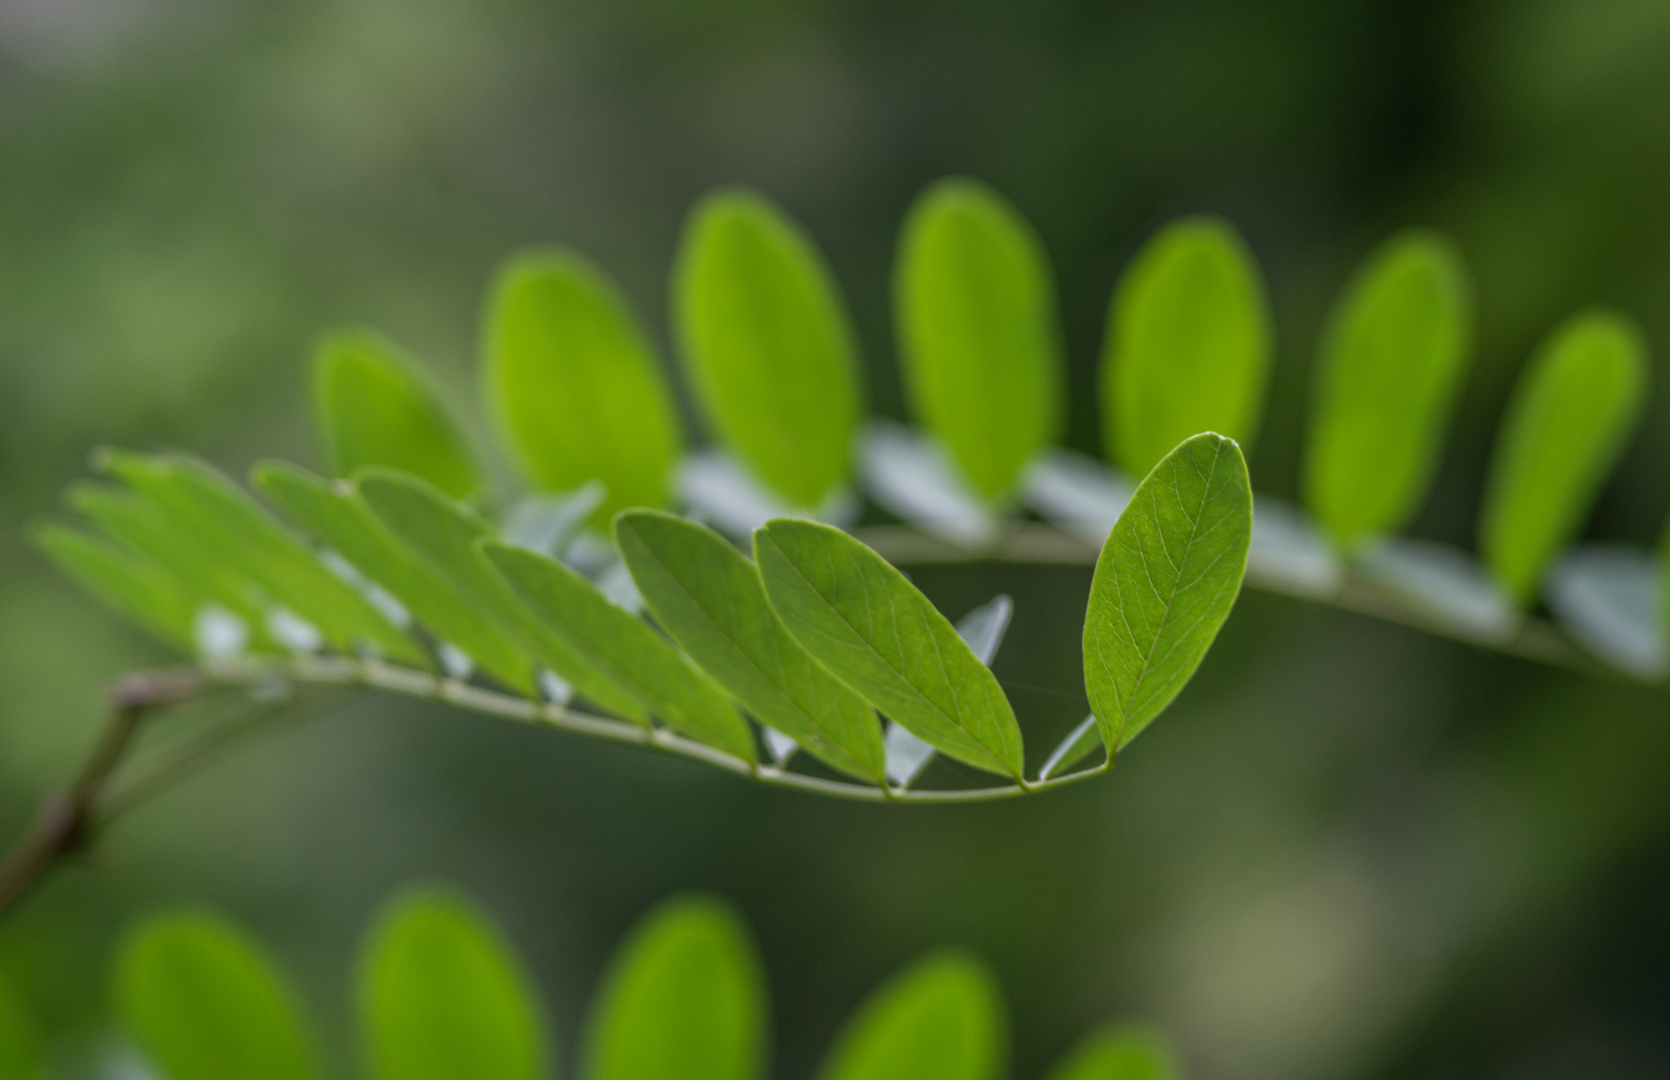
939	1021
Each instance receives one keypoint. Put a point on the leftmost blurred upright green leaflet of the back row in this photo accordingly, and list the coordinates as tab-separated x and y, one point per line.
377	408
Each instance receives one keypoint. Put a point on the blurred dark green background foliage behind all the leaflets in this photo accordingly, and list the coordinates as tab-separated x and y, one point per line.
1350	852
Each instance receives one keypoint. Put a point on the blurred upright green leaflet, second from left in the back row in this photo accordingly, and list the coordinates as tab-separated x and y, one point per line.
574	383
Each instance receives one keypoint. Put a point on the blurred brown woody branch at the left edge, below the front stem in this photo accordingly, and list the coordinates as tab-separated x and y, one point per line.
66	824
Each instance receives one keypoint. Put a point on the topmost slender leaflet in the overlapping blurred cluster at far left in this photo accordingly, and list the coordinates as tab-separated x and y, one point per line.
238	532
